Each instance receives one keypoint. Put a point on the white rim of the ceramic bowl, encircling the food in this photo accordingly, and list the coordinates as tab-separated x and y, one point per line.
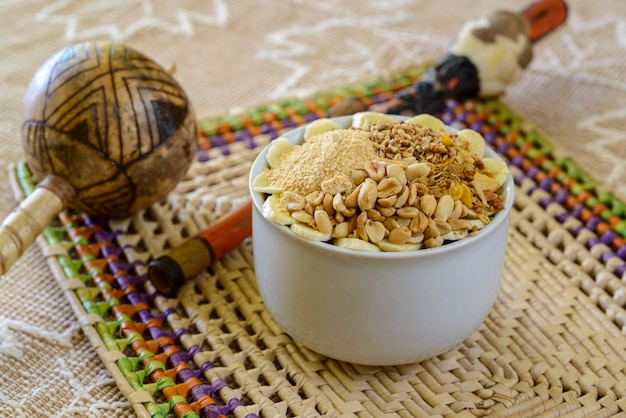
296	137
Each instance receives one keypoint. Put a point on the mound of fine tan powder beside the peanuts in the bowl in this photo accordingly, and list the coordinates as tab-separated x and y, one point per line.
323	162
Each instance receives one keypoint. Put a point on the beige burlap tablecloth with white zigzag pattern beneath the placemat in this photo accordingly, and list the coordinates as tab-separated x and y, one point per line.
240	54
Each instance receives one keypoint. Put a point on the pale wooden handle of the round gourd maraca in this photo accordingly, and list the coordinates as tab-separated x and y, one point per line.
20	229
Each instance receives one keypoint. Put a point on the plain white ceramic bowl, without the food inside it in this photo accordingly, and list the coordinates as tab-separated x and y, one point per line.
377	308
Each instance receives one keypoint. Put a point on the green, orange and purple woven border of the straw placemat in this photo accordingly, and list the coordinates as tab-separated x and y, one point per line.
154	361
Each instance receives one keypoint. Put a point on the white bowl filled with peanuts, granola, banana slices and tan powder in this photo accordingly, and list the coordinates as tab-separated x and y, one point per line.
366	294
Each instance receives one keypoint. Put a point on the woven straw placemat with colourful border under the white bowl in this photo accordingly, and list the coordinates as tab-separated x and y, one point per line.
553	344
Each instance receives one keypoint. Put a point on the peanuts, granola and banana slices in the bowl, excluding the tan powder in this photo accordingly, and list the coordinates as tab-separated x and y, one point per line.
425	187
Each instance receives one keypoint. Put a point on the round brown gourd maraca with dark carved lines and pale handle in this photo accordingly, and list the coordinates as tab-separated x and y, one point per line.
107	132
